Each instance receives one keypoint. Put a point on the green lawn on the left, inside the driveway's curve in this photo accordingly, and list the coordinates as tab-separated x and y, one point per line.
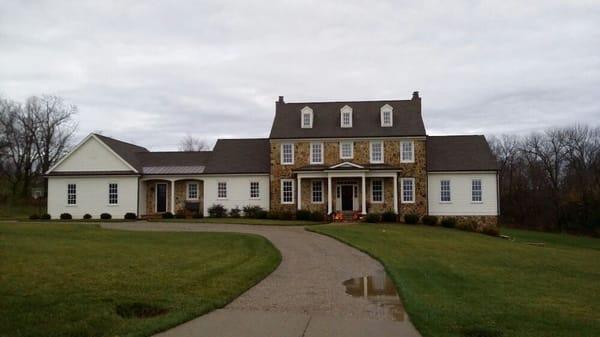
81	280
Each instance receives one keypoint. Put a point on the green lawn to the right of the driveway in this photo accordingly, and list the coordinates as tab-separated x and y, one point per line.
456	283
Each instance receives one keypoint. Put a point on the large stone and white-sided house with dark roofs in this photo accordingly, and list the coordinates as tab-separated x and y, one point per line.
354	156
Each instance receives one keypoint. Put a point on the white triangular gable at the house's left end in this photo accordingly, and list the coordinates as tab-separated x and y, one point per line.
92	156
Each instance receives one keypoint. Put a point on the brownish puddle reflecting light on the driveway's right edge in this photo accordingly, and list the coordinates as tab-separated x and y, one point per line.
380	290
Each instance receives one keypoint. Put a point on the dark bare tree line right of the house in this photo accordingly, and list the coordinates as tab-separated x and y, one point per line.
550	180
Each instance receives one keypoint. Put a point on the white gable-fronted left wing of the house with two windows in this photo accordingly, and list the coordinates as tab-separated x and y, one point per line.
92	179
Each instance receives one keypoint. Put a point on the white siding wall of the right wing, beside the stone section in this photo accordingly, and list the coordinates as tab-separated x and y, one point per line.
460	185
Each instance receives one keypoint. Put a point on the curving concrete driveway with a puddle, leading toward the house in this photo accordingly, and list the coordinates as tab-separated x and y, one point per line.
322	288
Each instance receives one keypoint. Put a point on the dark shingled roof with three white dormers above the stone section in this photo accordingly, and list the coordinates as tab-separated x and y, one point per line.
407	119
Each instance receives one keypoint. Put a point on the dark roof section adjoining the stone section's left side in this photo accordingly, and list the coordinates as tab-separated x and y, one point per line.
235	156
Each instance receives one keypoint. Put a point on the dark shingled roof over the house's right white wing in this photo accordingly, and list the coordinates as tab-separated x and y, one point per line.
459	153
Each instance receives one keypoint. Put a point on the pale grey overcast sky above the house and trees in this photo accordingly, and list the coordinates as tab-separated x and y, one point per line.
151	72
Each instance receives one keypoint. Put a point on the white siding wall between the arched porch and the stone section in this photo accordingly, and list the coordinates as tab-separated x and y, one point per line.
238	191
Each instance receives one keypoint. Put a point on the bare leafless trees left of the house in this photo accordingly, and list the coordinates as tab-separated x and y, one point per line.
33	136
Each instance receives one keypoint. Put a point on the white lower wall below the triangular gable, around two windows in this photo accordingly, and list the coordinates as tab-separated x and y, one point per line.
92	196
